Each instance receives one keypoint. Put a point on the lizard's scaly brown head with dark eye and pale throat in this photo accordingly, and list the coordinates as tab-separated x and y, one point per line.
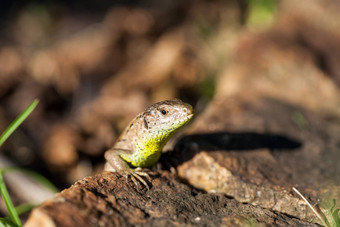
167	116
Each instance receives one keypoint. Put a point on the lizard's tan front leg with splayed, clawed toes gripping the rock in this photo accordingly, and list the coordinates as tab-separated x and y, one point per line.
114	163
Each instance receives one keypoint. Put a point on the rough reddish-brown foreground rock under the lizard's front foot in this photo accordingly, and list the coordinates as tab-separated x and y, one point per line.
106	200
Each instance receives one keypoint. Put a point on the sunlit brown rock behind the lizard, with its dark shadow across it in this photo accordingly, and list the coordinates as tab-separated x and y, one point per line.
257	159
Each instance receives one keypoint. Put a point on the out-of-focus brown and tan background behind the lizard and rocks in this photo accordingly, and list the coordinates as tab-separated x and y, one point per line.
95	64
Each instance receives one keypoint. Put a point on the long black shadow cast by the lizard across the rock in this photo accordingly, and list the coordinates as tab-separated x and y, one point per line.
189	145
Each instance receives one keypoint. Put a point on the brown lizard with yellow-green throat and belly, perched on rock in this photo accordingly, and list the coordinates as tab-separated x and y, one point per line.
141	142
